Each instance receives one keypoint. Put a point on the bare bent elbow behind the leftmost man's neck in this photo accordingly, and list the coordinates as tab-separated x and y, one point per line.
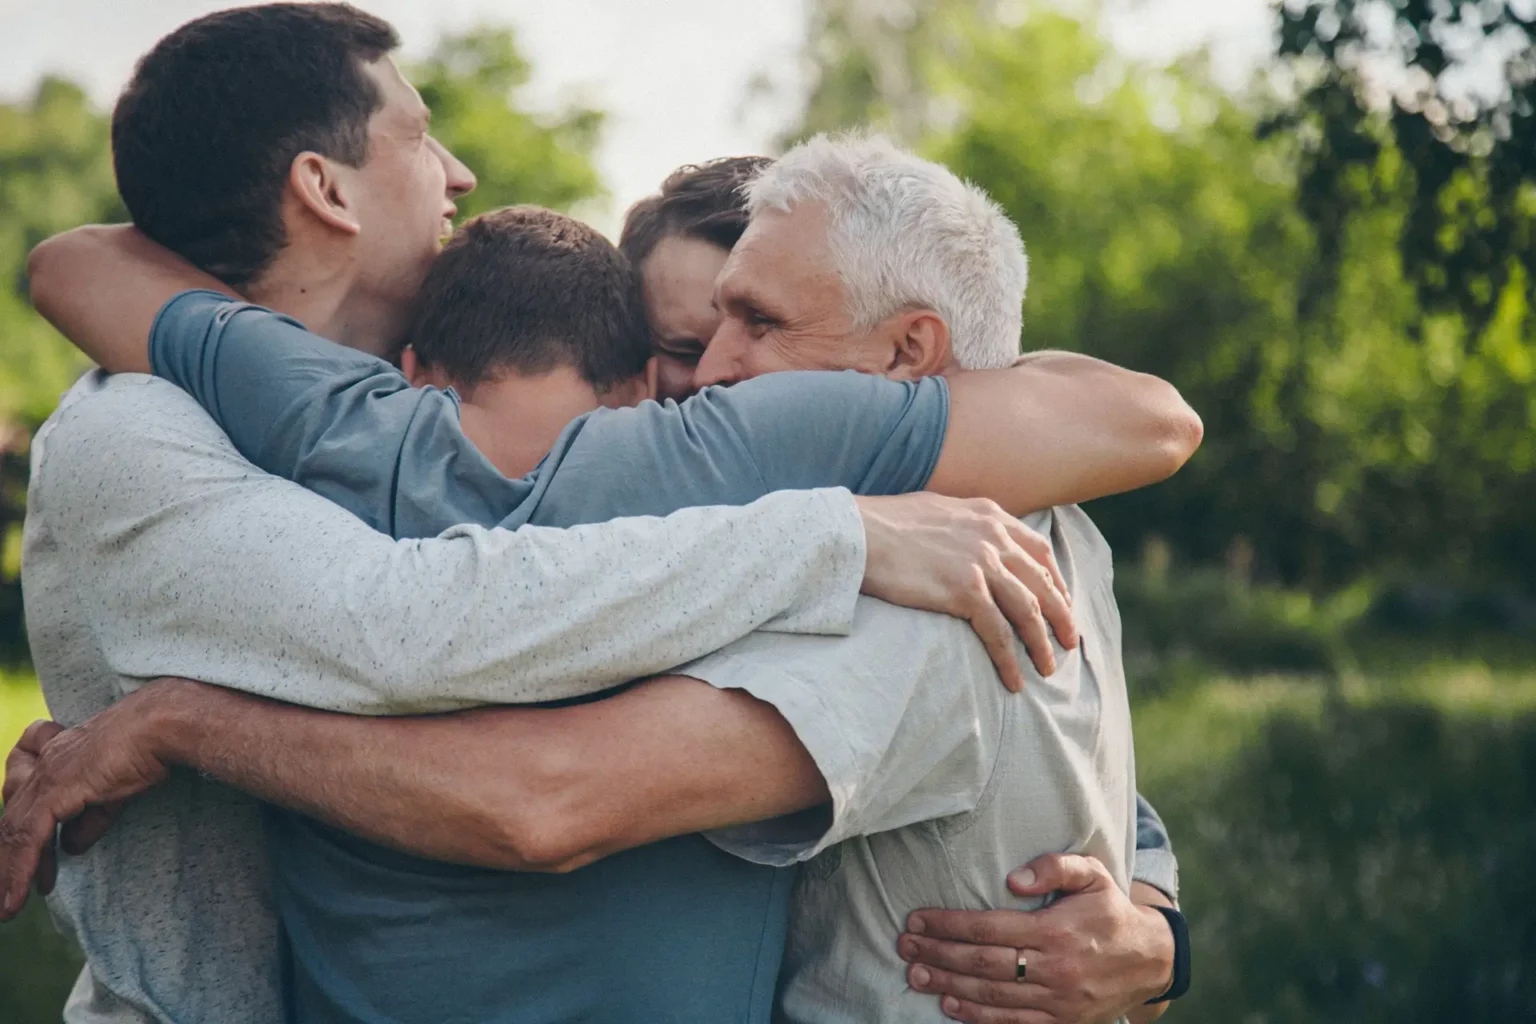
102	286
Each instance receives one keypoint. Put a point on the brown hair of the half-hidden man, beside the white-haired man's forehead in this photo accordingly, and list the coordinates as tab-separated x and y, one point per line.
700	202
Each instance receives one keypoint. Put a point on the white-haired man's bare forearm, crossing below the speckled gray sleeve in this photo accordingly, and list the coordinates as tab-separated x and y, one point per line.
518	788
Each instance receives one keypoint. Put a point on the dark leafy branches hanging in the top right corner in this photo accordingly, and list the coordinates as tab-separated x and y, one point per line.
1469	190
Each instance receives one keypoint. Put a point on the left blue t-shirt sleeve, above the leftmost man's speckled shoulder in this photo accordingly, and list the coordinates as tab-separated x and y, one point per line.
339	421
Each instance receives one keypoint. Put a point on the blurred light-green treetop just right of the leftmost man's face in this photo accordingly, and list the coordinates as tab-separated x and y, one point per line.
471	85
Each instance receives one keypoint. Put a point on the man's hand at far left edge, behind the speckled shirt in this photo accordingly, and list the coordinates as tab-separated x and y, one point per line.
76	779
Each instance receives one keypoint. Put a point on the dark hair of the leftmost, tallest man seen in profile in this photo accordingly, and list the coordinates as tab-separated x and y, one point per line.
208	128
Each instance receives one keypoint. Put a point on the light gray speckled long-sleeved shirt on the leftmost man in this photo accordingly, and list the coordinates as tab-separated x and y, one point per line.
151	549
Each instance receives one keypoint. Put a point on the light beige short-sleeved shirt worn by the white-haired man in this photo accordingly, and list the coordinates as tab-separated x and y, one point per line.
942	782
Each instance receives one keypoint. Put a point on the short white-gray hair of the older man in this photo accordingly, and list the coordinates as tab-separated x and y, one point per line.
909	234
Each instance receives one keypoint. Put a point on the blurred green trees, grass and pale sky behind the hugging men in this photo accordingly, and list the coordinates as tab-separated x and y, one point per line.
1314	217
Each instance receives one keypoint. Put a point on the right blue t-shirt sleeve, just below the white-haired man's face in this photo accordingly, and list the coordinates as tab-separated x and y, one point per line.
733	446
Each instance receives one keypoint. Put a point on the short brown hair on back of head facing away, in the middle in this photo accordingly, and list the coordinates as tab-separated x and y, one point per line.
529	289
